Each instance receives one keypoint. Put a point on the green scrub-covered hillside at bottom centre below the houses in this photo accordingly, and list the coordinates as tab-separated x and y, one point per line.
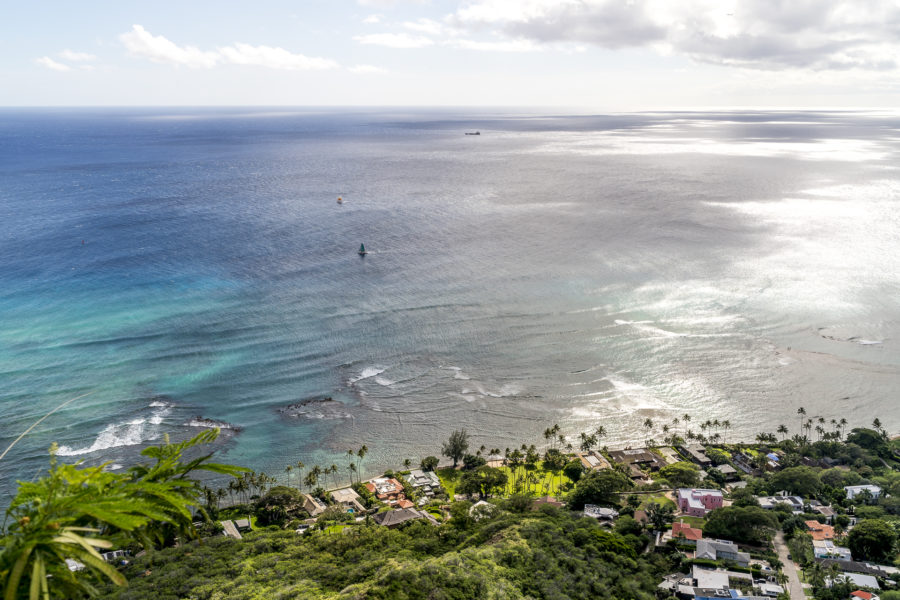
535	555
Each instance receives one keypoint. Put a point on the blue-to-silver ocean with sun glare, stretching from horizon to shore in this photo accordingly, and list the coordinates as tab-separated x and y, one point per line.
185	267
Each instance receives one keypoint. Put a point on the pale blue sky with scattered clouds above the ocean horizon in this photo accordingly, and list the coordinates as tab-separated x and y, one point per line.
596	54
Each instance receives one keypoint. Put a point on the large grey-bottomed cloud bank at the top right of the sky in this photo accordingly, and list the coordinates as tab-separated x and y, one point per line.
757	34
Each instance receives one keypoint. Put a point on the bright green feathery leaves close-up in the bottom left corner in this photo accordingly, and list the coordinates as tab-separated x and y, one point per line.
74	510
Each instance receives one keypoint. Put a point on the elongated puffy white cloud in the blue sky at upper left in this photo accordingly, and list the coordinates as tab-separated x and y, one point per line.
140	42
